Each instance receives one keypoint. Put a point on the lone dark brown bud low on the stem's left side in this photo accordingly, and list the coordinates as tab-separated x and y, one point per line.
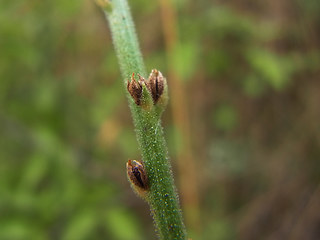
137	177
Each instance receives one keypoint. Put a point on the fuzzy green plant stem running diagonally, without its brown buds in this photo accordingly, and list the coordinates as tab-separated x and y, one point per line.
162	195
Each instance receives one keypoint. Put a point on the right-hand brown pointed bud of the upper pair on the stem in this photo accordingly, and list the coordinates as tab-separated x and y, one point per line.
156	84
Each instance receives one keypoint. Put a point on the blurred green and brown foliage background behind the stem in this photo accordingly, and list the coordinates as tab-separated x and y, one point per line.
249	74
